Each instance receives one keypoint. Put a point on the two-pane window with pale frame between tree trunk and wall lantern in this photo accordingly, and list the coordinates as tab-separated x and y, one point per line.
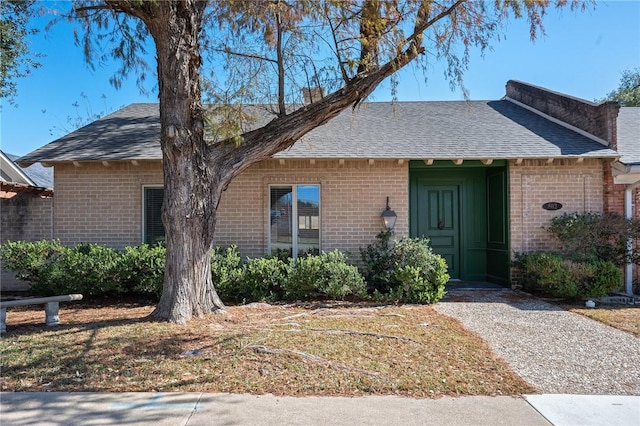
294	215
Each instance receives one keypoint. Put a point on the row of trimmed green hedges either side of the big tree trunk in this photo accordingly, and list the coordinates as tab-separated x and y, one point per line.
410	272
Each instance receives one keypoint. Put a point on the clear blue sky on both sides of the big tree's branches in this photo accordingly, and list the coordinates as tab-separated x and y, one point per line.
582	54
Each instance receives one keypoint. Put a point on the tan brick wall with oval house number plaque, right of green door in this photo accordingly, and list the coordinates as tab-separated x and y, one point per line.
577	186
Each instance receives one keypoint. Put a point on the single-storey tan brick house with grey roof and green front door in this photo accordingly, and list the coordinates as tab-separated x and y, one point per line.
473	176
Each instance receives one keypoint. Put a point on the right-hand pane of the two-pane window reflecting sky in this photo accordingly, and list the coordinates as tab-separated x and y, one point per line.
308	219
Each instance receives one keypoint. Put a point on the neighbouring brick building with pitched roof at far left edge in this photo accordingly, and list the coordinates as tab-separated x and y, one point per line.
26	207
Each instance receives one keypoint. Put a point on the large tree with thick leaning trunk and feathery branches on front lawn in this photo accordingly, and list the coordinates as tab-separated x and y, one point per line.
233	52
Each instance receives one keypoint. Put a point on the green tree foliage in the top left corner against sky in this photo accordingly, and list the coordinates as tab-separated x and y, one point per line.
16	60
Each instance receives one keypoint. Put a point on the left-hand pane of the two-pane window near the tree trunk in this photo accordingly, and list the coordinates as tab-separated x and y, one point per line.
281	216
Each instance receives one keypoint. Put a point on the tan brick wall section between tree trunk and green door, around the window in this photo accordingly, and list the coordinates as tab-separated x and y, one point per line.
352	197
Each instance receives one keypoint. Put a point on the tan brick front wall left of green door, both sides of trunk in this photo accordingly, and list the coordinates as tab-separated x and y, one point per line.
103	205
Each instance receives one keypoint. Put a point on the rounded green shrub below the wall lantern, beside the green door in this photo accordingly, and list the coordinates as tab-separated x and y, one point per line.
406	270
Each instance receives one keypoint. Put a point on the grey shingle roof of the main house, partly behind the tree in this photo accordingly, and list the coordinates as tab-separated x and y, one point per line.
401	130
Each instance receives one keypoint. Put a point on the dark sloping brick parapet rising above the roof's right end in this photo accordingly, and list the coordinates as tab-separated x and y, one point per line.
596	119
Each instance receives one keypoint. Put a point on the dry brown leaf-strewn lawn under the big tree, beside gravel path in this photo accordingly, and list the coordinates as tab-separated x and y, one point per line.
313	349
